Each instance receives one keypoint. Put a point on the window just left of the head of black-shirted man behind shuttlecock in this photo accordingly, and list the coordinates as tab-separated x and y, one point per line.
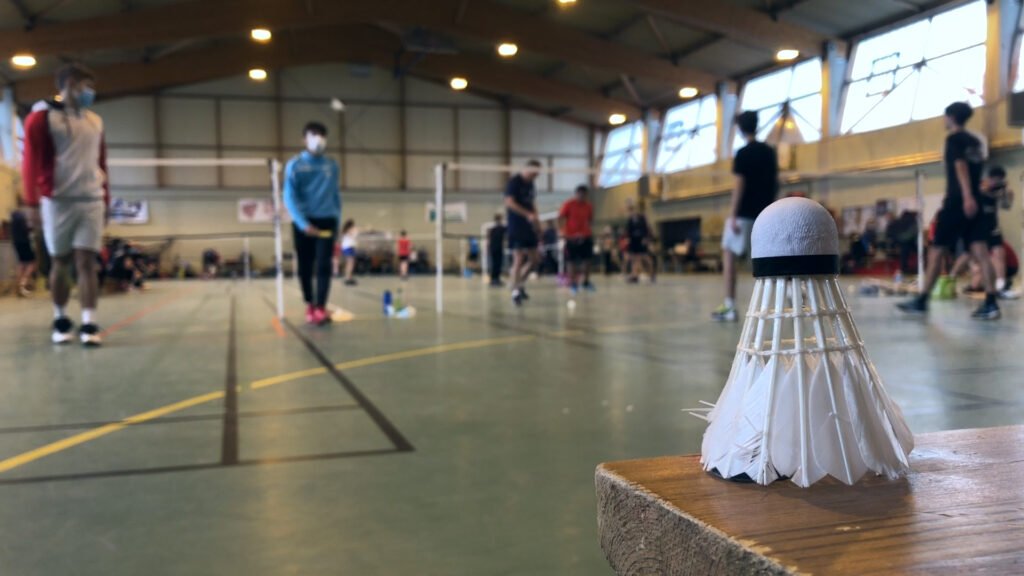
691	136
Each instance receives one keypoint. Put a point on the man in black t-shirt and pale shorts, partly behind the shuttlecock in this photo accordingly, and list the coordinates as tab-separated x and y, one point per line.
756	169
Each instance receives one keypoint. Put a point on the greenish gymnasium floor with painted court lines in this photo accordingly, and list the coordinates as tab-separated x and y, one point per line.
444	446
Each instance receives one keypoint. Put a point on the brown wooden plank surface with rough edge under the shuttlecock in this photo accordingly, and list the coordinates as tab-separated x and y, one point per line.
960	512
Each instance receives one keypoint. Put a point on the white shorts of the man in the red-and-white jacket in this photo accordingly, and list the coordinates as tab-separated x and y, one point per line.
73	225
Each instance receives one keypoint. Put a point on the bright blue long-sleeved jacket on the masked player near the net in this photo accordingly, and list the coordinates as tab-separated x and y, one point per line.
312	189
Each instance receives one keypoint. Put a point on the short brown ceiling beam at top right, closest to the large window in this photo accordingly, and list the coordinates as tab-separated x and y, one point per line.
745	26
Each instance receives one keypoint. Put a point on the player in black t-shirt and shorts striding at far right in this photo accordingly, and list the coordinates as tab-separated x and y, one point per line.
961	218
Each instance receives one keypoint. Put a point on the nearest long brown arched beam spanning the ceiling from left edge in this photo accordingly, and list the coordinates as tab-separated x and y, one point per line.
212	19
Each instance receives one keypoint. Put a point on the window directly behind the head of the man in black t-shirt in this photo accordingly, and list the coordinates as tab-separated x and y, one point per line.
793	93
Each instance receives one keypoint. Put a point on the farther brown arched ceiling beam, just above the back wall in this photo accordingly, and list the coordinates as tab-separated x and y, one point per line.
316	47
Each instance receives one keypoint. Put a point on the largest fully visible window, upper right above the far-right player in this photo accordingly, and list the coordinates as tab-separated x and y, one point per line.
916	71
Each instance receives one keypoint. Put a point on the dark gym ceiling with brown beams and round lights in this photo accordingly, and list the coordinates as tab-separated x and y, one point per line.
581	62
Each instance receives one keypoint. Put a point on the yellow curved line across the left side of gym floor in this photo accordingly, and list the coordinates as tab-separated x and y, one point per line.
71	442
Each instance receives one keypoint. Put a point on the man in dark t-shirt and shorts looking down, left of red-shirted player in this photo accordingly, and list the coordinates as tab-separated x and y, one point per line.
524	228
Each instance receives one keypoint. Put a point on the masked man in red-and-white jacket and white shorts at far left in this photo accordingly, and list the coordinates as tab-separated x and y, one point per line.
65	175
